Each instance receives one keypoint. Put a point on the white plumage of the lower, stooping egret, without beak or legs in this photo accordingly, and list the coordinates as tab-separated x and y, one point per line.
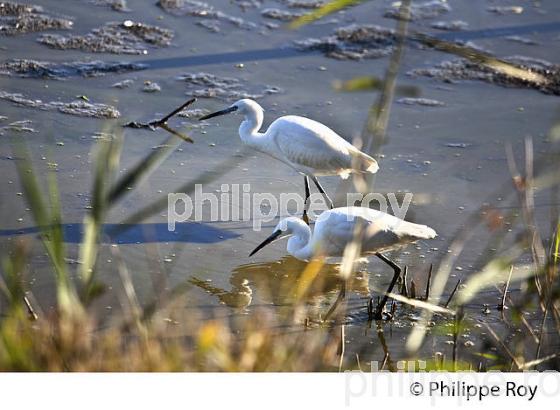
334	229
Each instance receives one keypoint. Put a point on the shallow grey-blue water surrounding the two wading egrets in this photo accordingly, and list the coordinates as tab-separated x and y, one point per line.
450	155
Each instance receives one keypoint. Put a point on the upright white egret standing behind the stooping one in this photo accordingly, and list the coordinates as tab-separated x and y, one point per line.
308	146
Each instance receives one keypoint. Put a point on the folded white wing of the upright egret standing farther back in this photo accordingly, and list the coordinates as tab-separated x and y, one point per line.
311	144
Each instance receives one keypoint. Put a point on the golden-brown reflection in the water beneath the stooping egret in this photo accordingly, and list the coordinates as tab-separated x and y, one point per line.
276	282
